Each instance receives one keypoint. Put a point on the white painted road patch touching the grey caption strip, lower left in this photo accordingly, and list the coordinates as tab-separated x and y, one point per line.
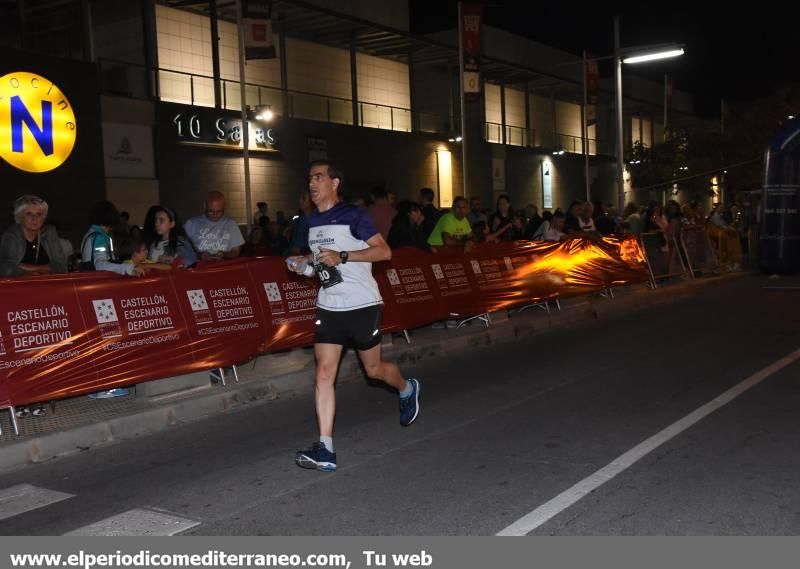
138	522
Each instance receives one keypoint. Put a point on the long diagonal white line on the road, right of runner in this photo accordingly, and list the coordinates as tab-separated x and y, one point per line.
552	508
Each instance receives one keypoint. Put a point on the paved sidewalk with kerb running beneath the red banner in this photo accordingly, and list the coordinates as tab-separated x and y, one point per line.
79	423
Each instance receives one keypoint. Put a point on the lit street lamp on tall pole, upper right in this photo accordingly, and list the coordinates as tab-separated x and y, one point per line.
631	55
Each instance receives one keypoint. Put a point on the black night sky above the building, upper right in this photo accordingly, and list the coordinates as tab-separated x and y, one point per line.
736	53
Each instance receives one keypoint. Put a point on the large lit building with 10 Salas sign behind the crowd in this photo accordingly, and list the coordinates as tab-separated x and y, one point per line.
351	84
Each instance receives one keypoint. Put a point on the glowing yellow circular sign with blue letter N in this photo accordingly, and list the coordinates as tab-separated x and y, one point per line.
37	123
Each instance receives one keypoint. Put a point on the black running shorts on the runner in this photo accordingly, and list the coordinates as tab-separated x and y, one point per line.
360	328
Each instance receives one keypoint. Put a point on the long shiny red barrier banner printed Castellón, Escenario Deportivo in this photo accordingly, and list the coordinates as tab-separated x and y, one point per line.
65	335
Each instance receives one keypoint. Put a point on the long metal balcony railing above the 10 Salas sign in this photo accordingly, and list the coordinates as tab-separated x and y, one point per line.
131	80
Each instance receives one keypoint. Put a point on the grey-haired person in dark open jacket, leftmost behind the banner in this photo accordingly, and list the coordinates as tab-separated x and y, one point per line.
29	247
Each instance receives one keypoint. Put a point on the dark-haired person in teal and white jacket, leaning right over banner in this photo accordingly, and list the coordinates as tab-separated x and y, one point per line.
97	247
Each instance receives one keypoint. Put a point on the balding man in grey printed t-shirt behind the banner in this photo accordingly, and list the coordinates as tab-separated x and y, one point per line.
215	236
